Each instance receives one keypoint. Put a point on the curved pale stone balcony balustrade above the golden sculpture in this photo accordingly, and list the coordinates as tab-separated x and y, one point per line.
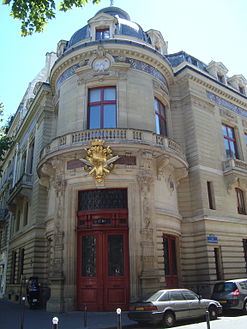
114	136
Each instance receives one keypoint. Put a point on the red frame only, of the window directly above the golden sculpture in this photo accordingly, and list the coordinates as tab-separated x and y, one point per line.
101	103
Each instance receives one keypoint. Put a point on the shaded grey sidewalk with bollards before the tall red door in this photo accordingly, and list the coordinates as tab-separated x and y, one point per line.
11	313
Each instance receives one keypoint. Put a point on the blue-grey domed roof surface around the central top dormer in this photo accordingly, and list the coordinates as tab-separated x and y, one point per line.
124	26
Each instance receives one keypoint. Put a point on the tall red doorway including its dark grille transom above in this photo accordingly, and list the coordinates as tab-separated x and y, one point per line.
103	255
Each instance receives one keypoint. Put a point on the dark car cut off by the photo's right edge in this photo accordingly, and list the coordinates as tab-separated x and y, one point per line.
232	294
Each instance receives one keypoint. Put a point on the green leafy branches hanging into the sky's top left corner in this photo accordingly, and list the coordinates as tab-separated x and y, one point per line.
34	15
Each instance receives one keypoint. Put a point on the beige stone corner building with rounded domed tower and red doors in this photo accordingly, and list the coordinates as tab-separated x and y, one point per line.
128	172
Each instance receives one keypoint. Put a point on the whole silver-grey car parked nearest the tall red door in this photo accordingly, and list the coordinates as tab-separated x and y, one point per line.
168	306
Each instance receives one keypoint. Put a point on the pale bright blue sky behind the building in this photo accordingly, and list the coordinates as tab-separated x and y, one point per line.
208	30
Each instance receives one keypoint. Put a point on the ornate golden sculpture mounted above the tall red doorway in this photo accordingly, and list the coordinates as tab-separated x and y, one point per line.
99	161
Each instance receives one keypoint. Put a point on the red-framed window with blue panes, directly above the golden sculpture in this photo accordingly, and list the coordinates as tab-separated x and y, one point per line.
102	108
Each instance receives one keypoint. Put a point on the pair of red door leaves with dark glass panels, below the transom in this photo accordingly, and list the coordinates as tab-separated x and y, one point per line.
103	271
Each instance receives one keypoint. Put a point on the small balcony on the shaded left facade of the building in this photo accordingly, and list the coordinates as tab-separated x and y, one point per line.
22	187
